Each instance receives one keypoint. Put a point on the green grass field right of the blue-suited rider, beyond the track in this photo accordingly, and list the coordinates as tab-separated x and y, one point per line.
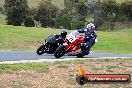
116	42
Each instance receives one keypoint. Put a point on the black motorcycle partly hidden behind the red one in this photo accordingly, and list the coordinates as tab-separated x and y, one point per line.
52	42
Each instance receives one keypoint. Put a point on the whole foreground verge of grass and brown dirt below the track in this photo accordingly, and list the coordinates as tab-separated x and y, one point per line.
62	74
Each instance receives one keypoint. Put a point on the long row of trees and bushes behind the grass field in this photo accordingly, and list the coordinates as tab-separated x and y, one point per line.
106	14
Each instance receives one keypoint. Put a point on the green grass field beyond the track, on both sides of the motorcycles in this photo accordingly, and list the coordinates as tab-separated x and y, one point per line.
29	38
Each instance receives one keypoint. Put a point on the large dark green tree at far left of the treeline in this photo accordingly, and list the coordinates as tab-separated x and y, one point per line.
16	11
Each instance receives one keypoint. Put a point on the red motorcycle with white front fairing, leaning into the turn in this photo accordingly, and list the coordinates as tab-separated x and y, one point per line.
71	45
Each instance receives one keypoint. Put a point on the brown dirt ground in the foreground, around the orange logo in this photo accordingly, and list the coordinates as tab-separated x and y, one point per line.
64	75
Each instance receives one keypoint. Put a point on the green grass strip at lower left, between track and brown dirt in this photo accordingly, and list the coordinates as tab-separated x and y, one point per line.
39	67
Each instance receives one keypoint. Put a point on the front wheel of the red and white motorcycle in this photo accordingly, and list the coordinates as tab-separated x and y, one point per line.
60	51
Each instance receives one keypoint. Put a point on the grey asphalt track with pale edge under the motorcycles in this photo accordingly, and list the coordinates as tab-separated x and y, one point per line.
31	55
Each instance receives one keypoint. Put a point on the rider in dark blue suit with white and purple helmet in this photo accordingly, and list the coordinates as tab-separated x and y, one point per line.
90	36
